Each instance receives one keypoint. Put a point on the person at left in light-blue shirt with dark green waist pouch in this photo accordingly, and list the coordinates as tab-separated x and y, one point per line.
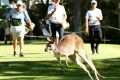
17	17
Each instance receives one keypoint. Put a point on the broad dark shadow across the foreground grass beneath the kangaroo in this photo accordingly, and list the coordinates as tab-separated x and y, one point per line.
109	68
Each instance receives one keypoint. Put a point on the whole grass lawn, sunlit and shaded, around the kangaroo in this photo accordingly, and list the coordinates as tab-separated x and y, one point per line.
40	65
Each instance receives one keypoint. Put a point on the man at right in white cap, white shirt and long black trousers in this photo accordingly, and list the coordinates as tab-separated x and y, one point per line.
92	19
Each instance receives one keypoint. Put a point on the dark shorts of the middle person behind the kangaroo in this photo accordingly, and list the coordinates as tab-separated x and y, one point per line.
57	28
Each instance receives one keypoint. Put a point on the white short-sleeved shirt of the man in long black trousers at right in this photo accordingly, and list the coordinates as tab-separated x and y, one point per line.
91	16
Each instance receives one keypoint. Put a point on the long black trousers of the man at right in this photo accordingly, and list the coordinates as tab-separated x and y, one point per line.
95	34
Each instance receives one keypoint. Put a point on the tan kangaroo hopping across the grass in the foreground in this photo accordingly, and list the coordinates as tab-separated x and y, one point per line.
72	46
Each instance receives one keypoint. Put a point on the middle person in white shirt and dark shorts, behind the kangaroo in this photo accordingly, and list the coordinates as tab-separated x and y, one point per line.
57	16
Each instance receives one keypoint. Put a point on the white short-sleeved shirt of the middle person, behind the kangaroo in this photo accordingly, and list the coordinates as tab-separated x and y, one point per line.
58	15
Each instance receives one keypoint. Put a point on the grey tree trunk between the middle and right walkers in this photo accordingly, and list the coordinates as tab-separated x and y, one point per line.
77	16
